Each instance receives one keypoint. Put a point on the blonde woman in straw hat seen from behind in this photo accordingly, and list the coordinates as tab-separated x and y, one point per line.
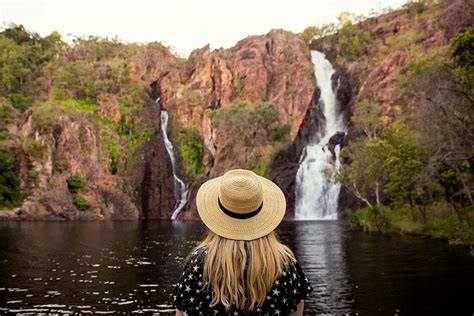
240	268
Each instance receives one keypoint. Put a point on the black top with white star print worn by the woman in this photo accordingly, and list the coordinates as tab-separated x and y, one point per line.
191	297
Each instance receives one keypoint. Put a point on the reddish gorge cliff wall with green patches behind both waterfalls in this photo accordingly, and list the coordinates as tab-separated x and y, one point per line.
89	145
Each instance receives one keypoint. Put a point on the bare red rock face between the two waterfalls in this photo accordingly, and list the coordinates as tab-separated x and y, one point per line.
275	67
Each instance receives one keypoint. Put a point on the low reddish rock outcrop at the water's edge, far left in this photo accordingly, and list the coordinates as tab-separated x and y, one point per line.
69	146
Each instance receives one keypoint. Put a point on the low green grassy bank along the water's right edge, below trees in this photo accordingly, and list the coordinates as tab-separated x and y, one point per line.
441	223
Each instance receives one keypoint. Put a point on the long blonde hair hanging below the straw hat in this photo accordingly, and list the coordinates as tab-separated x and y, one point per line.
241	273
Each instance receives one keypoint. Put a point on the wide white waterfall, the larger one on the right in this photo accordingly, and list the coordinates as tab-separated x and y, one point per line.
316	197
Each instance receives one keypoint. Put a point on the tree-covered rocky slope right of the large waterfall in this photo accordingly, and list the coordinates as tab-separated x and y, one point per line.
410	160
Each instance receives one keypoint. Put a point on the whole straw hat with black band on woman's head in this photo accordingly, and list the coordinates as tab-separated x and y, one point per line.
241	205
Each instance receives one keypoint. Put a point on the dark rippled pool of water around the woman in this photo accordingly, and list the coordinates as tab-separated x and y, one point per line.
130	267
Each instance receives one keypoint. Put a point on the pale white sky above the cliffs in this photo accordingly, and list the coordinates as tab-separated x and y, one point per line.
183	25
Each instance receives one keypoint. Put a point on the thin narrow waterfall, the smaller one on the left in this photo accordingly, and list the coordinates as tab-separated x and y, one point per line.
180	188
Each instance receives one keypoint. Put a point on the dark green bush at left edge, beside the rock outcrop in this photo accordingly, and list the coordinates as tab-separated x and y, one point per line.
9	185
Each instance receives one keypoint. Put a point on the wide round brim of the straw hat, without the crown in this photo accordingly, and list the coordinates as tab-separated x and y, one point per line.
263	223
